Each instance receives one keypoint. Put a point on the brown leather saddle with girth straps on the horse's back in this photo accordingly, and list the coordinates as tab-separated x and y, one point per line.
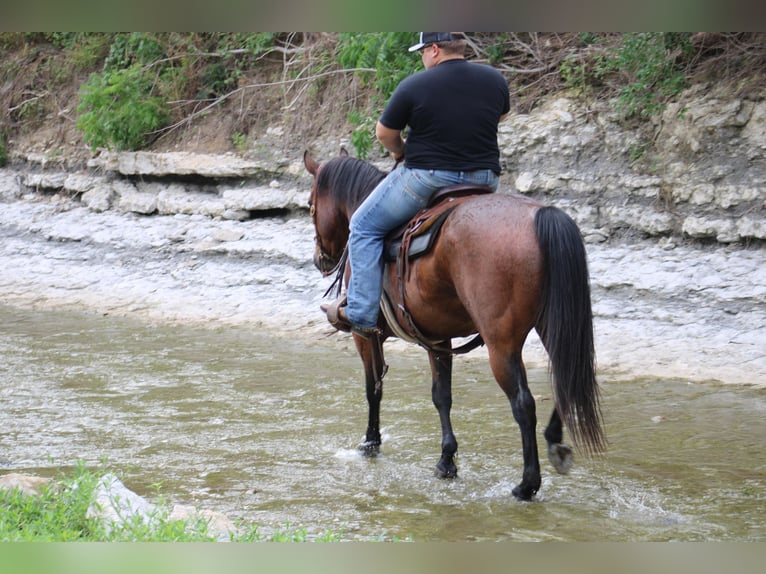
414	239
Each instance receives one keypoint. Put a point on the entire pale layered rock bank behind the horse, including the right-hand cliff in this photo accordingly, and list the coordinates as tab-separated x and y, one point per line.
675	229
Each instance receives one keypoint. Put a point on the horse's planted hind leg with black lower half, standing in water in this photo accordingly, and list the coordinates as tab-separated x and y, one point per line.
512	378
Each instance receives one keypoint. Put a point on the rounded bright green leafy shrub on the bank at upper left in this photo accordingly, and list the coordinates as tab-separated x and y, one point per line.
117	109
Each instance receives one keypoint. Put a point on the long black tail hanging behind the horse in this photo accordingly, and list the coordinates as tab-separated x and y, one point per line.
565	326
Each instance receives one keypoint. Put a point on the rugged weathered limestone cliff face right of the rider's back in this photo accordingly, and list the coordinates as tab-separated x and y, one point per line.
698	171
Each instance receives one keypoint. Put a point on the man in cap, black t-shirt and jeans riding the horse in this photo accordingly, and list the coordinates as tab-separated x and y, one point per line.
452	110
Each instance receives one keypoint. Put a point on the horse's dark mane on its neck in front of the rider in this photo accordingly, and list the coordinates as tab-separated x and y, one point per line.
349	180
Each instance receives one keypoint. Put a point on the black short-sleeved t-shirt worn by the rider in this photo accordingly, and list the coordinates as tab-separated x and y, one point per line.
452	111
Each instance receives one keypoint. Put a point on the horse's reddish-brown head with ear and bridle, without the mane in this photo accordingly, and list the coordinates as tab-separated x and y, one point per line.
330	220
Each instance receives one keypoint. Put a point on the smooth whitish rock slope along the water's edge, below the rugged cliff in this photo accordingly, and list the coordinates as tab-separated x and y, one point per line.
664	308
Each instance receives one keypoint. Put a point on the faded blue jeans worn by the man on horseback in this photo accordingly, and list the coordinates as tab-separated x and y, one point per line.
393	202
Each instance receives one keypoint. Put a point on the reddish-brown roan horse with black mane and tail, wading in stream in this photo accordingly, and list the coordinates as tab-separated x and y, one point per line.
502	265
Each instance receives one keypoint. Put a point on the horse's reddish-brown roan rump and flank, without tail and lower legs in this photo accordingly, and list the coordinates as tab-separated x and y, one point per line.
483	275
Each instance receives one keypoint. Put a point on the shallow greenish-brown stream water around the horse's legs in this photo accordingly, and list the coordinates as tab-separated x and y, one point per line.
265	429
